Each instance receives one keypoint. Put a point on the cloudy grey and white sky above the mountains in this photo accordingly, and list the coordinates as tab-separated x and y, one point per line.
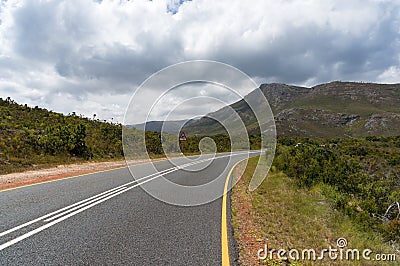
90	56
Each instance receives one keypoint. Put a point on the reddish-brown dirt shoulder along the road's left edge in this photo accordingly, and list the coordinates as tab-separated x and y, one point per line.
62	171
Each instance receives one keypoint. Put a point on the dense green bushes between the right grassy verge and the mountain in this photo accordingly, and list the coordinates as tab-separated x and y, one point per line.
361	177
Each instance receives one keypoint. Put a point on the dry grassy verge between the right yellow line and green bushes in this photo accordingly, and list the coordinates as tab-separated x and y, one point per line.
284	216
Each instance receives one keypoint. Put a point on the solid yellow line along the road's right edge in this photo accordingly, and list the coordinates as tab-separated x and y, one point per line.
224	226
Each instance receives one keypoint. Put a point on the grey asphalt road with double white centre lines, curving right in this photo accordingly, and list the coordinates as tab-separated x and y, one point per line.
107	218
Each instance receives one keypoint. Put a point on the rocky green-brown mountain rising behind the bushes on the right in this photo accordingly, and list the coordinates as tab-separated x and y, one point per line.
336	109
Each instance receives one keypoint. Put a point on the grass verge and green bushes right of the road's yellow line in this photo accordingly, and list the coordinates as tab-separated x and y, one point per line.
318	191
